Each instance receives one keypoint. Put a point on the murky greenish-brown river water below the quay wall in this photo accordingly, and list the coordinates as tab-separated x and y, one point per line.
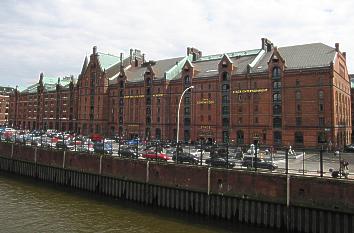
30	206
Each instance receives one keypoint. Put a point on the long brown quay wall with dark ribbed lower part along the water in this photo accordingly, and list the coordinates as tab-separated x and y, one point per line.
290	203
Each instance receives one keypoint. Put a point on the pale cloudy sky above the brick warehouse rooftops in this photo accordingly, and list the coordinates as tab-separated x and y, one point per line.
53	36
